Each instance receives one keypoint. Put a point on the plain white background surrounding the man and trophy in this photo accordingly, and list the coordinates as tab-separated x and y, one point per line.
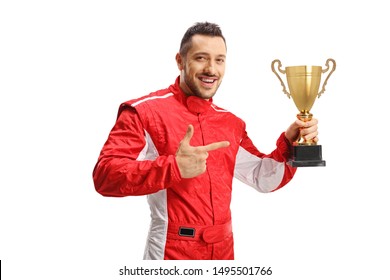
65	66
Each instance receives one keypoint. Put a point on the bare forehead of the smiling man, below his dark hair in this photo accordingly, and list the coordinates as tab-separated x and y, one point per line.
213	45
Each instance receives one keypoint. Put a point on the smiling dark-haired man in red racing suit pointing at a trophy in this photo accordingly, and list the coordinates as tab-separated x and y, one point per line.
179	148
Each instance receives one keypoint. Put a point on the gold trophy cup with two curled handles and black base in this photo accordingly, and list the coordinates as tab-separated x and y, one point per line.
303	83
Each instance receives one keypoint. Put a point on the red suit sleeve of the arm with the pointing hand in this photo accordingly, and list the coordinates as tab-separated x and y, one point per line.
129	163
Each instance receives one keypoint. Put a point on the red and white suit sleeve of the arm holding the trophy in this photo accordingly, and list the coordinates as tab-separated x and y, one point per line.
264	172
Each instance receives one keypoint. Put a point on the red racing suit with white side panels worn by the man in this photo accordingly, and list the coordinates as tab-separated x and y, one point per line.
190	218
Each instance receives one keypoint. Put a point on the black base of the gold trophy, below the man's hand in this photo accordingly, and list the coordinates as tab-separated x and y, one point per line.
305	156
